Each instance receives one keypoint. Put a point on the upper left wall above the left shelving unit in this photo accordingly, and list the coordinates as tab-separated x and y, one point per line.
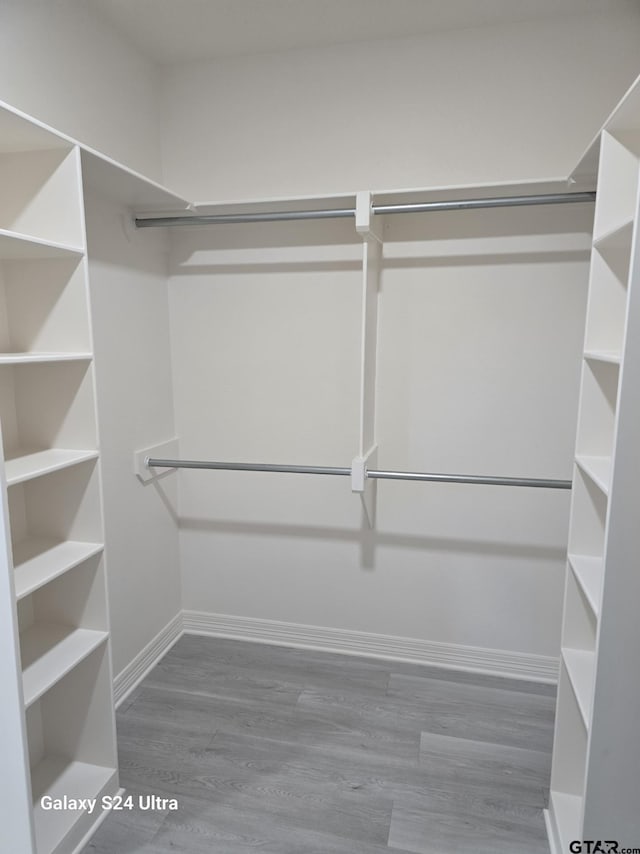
69	69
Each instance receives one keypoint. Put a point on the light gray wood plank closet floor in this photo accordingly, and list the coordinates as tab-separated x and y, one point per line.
288	751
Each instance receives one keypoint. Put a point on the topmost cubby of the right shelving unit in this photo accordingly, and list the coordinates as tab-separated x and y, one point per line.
617	184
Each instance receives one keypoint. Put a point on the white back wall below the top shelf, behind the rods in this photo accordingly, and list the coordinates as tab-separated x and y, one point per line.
479	357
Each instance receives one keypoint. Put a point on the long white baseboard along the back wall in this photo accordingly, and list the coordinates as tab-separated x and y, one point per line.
516	665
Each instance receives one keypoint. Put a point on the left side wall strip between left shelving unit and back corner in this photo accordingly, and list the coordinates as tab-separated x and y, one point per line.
135	409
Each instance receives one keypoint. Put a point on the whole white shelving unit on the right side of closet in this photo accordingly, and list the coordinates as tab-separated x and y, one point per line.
596	750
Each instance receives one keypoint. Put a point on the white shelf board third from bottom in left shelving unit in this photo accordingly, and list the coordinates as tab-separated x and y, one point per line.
39	561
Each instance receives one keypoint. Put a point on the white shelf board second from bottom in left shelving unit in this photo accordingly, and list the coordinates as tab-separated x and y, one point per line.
49	651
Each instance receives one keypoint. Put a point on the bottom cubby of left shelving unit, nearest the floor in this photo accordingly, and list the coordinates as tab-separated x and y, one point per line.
71	748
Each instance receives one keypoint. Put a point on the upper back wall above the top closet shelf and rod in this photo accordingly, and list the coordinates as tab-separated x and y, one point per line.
461	107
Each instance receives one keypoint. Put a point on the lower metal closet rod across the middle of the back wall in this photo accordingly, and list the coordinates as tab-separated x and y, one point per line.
540	483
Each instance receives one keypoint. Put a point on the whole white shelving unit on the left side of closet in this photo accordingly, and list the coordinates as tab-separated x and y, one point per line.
57	712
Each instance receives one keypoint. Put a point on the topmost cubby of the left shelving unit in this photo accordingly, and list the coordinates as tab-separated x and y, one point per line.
41	196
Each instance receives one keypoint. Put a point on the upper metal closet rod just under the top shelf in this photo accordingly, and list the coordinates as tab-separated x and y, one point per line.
337	213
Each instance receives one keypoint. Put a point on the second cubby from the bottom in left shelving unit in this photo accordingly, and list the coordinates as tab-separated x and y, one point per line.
60	624
